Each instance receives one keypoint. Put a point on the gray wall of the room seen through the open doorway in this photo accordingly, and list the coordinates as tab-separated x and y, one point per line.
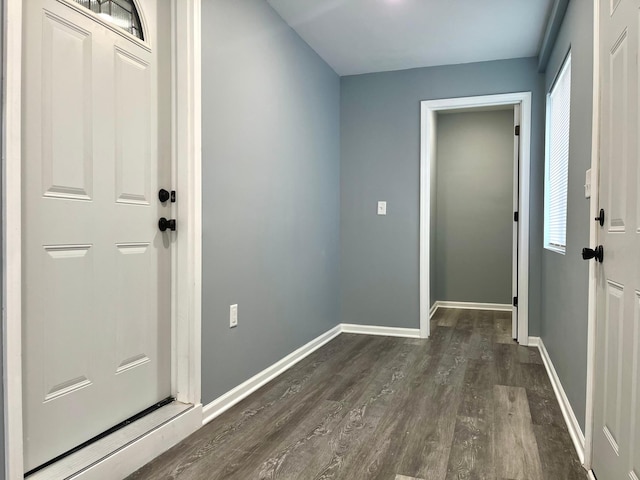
474	213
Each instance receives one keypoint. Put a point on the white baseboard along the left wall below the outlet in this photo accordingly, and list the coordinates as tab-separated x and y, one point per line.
246	388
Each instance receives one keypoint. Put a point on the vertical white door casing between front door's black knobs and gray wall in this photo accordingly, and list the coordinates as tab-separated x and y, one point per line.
187	175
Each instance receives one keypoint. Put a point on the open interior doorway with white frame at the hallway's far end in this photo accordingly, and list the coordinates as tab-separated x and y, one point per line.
447	277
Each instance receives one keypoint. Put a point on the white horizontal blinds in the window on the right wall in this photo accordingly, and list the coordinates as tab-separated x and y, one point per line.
557	160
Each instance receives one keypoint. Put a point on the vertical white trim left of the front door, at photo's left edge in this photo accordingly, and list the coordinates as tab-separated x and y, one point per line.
12	239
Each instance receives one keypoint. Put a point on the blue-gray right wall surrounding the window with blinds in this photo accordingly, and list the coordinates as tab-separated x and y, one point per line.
565	278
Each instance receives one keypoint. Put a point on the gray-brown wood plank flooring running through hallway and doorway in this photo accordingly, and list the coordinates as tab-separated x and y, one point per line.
468	403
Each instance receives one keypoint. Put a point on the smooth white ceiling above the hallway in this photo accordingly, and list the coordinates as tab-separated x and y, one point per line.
362	36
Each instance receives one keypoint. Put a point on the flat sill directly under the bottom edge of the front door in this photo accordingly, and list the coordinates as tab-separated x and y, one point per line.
77	462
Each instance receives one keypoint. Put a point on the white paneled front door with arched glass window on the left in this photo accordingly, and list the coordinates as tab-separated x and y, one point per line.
96	279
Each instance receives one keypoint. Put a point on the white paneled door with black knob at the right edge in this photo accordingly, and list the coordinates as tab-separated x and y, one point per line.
616	441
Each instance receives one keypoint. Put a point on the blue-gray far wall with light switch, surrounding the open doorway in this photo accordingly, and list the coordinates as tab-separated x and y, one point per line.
380	119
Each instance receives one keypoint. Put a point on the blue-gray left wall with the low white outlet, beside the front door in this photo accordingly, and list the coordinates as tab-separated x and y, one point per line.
271	192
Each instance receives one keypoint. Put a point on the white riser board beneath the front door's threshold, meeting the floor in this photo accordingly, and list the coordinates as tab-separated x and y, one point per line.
128	459
